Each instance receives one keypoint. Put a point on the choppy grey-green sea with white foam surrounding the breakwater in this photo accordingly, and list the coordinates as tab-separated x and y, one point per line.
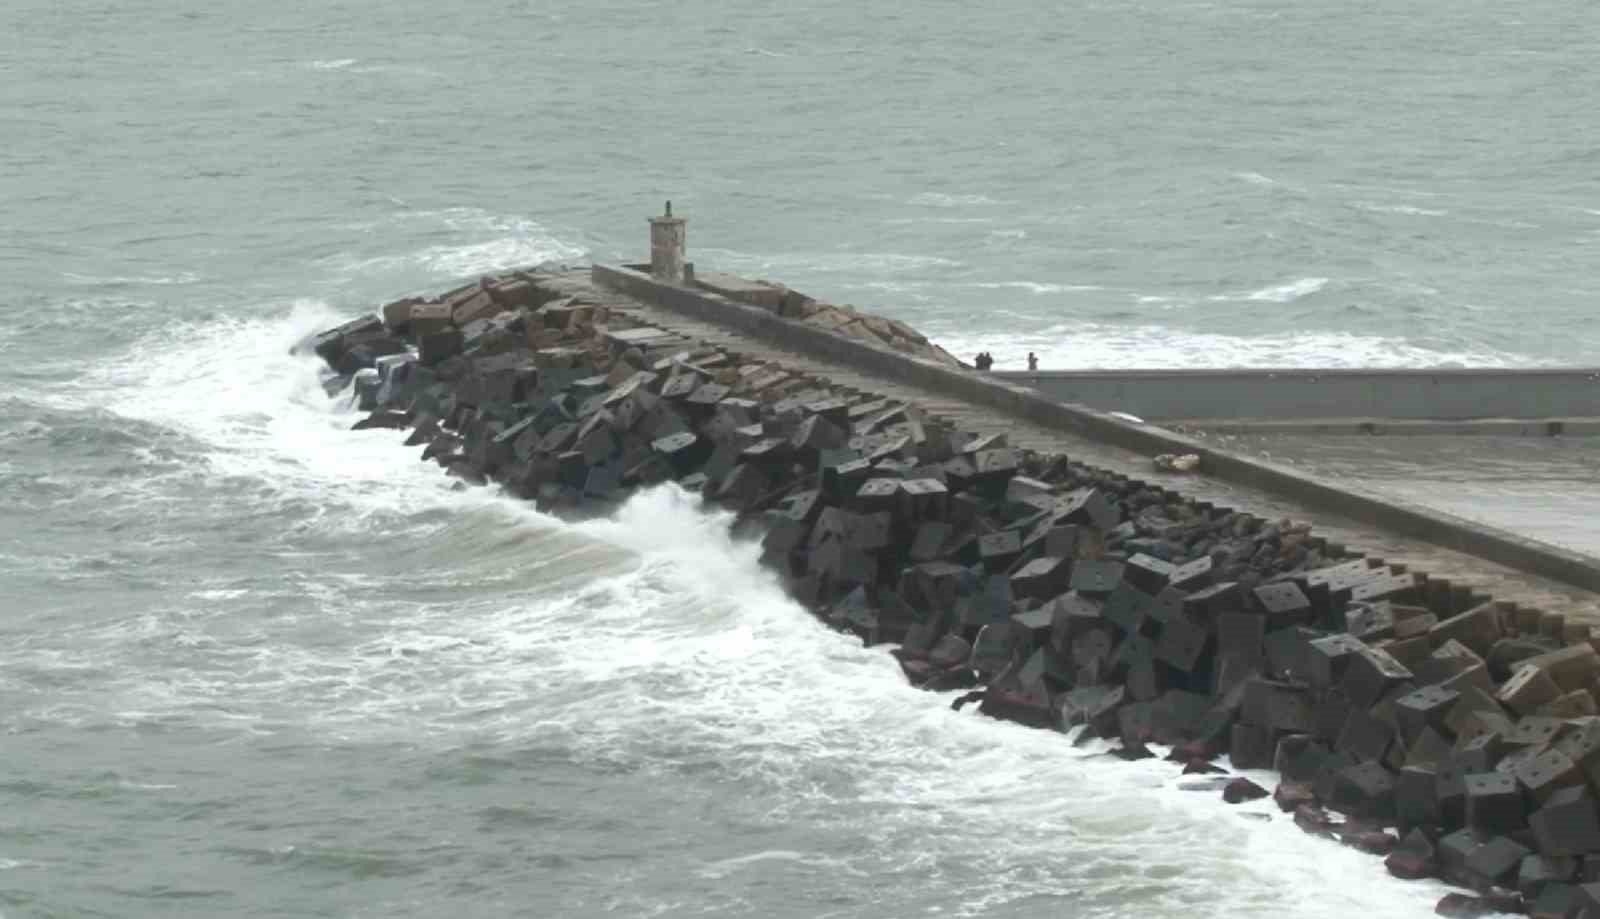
255	665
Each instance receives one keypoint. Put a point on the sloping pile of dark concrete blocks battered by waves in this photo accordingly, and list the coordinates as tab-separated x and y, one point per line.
1450	732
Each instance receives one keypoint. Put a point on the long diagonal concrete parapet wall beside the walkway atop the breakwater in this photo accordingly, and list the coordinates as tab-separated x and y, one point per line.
1378	512
